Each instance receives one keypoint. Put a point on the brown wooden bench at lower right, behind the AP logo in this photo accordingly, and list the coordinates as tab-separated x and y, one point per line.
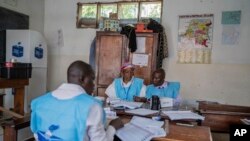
219	117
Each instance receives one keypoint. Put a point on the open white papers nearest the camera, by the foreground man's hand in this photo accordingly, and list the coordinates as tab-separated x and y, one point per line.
141	129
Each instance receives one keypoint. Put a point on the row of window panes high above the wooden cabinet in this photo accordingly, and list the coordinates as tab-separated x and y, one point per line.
89	14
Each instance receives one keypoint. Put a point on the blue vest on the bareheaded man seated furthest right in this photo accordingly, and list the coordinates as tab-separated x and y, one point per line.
171	90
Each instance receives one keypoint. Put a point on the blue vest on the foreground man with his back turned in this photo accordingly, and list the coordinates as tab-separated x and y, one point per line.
65	119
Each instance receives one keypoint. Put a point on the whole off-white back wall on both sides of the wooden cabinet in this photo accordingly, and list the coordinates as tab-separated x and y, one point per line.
226	80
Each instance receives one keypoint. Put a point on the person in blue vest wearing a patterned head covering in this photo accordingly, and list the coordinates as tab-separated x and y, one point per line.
127	87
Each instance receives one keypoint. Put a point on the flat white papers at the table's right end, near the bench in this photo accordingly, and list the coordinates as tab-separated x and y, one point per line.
178	115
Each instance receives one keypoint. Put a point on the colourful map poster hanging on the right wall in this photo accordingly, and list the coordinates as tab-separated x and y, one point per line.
195	34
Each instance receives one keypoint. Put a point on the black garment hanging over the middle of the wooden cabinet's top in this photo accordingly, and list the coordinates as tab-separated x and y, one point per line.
129	31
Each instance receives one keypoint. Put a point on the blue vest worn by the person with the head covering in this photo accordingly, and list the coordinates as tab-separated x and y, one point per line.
127	93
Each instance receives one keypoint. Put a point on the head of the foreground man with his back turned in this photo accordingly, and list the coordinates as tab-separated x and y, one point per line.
77	71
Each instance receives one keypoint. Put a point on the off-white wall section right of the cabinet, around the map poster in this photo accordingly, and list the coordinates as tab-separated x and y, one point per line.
227	79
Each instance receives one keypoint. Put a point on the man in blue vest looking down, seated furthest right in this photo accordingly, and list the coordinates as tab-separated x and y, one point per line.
163	88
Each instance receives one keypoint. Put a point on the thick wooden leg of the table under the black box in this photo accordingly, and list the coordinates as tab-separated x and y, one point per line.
19	100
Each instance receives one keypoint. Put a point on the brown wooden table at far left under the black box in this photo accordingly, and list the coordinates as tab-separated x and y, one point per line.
19	90
